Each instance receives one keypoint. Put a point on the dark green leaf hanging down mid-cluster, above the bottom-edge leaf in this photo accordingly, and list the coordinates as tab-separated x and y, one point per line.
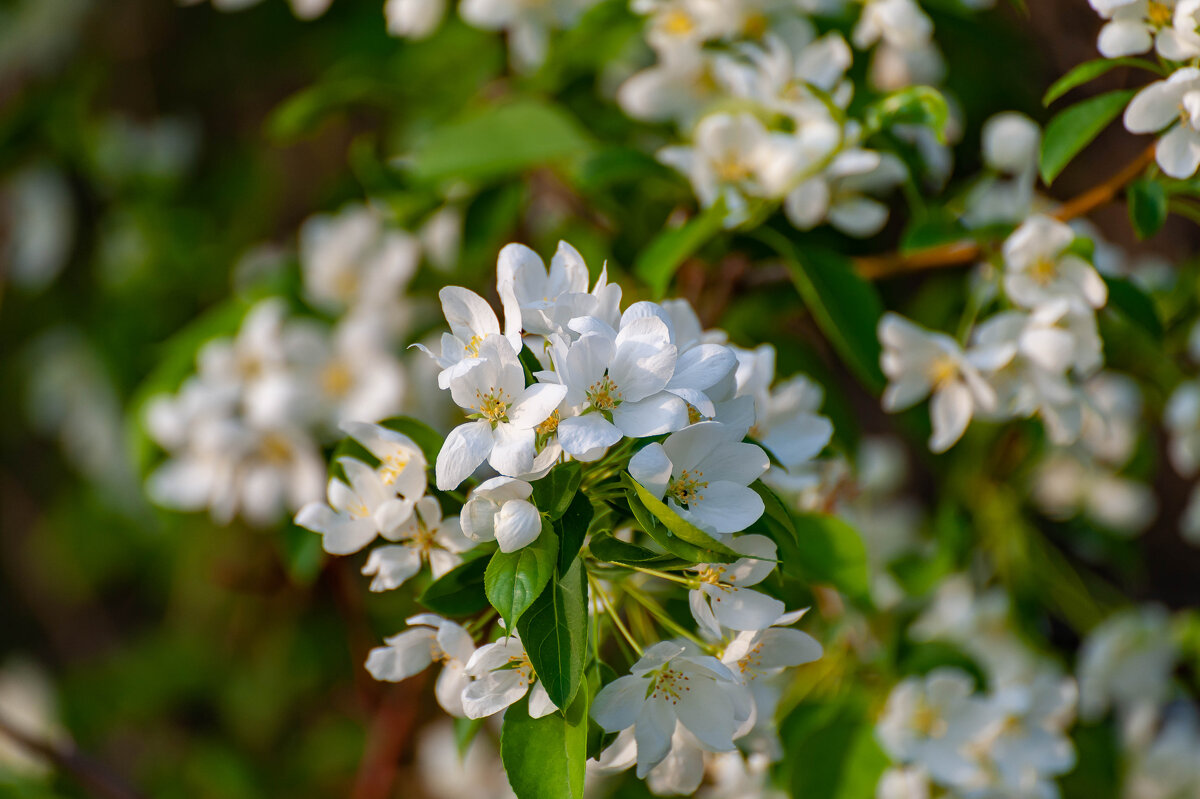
555	634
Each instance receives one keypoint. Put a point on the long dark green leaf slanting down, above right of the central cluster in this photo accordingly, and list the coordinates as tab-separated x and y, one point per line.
845	307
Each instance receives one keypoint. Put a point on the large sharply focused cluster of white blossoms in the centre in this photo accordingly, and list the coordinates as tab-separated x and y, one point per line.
571	377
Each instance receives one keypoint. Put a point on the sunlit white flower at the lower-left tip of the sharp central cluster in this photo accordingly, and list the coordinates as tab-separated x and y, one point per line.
433	640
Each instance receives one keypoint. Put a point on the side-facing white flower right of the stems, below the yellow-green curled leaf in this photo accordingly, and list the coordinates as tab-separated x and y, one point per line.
725	599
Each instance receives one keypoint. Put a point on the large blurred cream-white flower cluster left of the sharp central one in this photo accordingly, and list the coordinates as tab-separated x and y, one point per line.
244	432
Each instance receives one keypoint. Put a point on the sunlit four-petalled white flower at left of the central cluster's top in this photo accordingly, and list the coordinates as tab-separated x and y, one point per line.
493	389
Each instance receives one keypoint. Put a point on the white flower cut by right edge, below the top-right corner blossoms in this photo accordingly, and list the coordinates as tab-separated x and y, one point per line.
1173	104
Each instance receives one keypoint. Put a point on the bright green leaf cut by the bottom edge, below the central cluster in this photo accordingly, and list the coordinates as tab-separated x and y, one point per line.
545	758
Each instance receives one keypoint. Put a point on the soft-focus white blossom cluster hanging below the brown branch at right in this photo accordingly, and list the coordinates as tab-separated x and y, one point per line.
1022	363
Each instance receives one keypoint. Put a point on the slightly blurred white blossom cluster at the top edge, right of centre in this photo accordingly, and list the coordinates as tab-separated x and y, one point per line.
763	99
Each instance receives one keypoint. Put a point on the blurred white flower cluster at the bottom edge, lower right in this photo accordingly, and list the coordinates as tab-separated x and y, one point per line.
1007	742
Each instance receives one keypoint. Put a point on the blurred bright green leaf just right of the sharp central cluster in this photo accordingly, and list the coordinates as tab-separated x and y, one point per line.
830	551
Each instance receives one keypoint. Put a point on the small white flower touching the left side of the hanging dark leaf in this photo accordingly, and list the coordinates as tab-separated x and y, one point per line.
501	675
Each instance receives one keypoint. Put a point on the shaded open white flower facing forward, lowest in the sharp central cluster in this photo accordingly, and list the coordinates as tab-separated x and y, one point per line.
674	683
